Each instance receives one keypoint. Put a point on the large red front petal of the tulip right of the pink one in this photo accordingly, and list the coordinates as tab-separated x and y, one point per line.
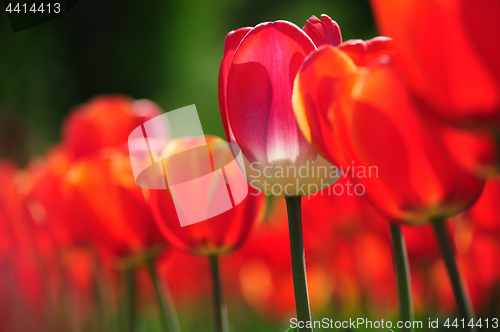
417	178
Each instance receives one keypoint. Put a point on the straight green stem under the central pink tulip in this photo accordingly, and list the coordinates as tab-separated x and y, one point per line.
293	207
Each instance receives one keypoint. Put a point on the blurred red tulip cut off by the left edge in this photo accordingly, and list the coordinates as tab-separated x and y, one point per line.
30	266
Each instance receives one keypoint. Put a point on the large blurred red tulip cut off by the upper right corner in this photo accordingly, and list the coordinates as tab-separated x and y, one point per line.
447	54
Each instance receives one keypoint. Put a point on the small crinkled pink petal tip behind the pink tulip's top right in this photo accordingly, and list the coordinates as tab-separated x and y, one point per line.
324	31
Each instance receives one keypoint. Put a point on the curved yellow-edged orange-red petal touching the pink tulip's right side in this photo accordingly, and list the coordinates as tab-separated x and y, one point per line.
314	94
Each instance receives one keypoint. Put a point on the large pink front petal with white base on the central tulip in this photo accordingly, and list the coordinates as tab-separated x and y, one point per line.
259	92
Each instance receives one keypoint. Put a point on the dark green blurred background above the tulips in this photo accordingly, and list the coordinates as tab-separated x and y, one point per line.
166	51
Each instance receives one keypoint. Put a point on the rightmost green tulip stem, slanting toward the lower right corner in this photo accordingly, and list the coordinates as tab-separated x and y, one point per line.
461	298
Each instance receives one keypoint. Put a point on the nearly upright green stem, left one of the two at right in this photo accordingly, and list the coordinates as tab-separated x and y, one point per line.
403	275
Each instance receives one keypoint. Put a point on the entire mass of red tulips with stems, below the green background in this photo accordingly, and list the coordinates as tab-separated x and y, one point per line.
406	125
